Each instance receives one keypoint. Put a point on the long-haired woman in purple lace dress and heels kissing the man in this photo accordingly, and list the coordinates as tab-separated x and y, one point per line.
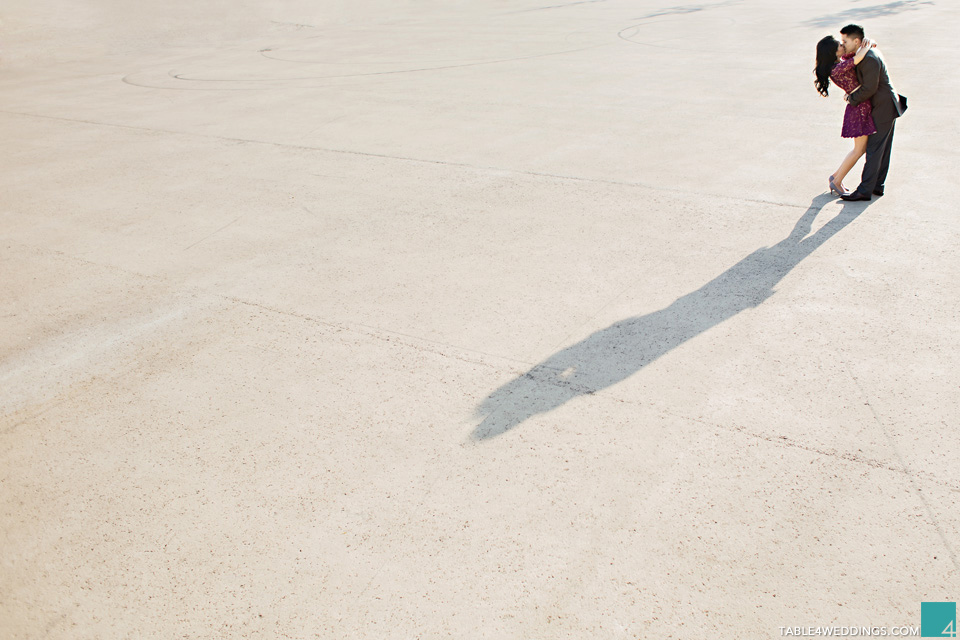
834	63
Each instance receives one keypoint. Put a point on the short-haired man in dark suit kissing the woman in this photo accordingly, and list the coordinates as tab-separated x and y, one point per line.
887	106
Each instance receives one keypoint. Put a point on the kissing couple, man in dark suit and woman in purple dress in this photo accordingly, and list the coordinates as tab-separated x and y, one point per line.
856	66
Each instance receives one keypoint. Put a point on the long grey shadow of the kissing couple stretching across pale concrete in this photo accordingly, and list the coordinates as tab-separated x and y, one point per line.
614	353
